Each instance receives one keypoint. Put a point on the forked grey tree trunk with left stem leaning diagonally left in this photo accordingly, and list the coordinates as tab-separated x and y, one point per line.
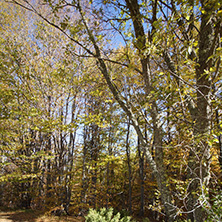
157	168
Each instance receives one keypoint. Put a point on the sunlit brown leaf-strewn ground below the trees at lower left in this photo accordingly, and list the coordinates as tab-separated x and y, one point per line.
34	216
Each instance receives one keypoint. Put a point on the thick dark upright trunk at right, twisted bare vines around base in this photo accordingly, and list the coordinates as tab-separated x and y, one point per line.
199	165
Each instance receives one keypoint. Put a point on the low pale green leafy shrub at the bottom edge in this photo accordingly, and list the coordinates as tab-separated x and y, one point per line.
105	215
